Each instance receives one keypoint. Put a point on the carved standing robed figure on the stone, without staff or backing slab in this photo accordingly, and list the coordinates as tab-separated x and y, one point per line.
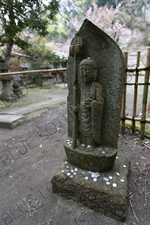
91	106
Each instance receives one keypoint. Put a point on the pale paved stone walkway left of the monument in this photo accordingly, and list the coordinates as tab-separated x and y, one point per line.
12	116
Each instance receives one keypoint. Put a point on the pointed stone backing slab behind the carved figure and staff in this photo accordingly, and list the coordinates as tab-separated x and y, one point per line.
110	74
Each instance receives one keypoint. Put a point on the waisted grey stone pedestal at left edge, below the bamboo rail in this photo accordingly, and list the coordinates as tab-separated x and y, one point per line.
7	92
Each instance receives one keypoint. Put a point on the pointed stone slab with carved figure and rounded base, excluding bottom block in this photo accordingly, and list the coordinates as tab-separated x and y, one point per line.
95	72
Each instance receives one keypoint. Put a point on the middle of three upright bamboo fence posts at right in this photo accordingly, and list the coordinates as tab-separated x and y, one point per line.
135	91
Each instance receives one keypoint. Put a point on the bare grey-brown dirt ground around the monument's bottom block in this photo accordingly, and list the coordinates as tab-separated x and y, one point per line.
28	156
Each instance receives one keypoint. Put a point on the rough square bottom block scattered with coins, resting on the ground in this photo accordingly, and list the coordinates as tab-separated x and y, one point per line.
103	192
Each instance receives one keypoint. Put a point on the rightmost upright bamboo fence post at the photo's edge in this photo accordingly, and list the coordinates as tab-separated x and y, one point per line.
145	94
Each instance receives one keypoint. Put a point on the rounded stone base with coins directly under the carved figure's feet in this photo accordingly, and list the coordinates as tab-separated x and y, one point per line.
99	159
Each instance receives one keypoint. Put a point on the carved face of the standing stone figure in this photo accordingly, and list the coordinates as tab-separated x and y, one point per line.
87	73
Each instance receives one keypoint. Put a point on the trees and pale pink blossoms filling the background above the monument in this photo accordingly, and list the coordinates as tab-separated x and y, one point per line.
37	27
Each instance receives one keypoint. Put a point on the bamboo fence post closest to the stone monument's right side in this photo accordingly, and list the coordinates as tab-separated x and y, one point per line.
123	107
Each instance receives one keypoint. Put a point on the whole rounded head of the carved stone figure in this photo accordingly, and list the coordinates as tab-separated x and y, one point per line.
88	70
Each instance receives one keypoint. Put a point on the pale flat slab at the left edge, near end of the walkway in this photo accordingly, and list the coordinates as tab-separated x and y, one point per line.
10	121
